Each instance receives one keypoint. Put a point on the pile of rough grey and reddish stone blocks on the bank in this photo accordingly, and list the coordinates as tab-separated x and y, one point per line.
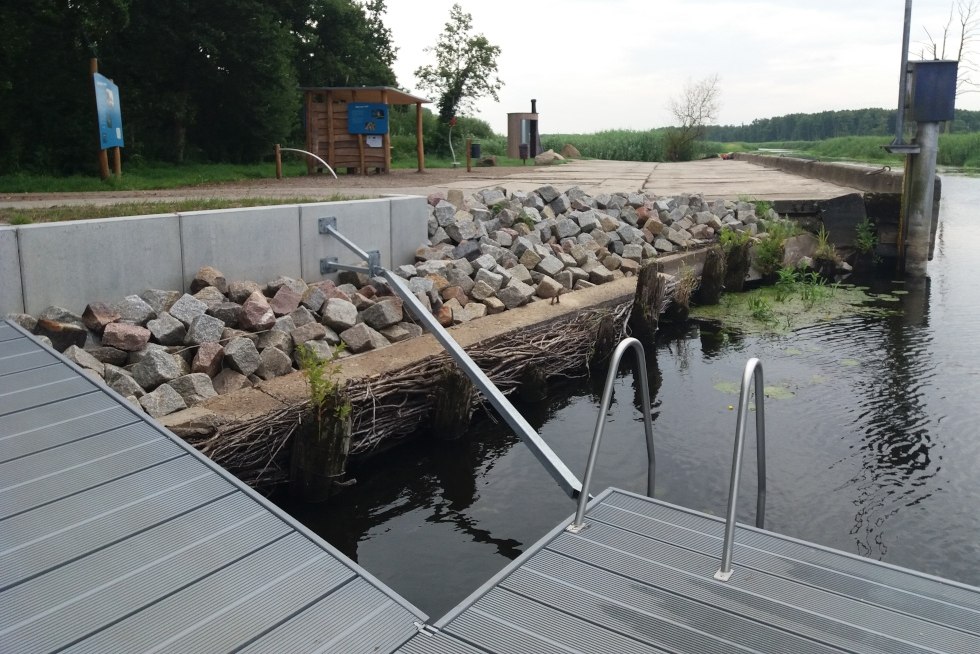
167	350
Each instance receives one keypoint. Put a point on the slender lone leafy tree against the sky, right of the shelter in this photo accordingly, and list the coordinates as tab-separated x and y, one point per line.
465	68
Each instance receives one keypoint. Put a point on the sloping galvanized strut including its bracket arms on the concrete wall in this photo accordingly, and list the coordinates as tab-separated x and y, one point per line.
554	465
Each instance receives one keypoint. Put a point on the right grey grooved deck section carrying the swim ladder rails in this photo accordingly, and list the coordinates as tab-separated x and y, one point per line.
639	578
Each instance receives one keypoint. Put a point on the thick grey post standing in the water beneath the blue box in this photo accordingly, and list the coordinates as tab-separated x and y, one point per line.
921	190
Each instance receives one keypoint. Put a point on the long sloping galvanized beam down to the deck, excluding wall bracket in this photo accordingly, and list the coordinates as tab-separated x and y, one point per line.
559	471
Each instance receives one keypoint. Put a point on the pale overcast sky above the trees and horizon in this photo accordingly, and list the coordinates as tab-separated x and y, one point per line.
610	64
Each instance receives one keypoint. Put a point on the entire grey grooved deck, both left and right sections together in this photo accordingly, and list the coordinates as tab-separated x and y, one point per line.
115	536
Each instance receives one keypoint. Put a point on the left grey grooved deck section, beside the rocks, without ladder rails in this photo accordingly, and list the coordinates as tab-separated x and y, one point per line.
117	536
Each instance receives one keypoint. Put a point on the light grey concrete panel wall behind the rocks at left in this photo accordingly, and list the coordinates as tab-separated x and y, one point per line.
70	264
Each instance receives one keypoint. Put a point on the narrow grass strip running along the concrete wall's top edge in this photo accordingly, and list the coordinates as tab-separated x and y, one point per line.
87	211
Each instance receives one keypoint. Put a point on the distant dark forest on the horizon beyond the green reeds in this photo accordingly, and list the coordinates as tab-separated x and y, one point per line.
826	125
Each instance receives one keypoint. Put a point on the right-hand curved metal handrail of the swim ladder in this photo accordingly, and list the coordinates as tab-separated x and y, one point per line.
753	370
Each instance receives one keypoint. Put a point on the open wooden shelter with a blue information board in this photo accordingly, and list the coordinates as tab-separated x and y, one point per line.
348	126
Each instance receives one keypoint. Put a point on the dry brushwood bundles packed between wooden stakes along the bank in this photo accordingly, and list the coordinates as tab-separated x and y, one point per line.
394	405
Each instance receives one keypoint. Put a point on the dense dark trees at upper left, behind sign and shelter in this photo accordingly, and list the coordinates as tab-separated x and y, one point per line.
212	81
